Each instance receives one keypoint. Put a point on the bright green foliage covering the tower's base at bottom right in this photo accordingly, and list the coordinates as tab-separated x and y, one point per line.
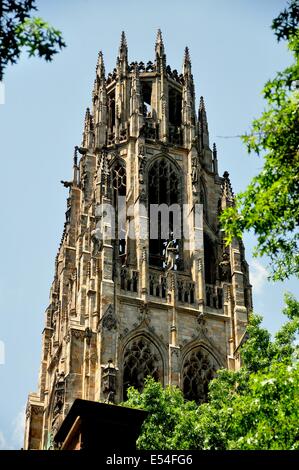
256	407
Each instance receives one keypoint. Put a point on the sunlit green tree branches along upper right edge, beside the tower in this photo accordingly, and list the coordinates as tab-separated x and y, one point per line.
270	204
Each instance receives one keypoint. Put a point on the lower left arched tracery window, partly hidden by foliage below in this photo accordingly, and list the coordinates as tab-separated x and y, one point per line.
141	359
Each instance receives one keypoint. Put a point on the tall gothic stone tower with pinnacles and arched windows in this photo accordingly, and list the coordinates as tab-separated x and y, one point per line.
129	305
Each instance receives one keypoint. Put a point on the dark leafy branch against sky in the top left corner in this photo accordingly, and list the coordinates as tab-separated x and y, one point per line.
19	30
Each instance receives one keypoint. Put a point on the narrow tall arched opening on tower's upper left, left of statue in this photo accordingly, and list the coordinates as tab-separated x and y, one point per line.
119	189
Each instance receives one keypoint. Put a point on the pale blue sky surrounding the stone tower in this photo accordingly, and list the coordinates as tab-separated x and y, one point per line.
233	52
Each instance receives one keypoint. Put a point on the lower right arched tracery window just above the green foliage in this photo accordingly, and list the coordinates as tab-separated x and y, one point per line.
199	368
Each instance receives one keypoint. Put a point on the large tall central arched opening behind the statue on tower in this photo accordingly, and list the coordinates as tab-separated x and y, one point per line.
164	188
